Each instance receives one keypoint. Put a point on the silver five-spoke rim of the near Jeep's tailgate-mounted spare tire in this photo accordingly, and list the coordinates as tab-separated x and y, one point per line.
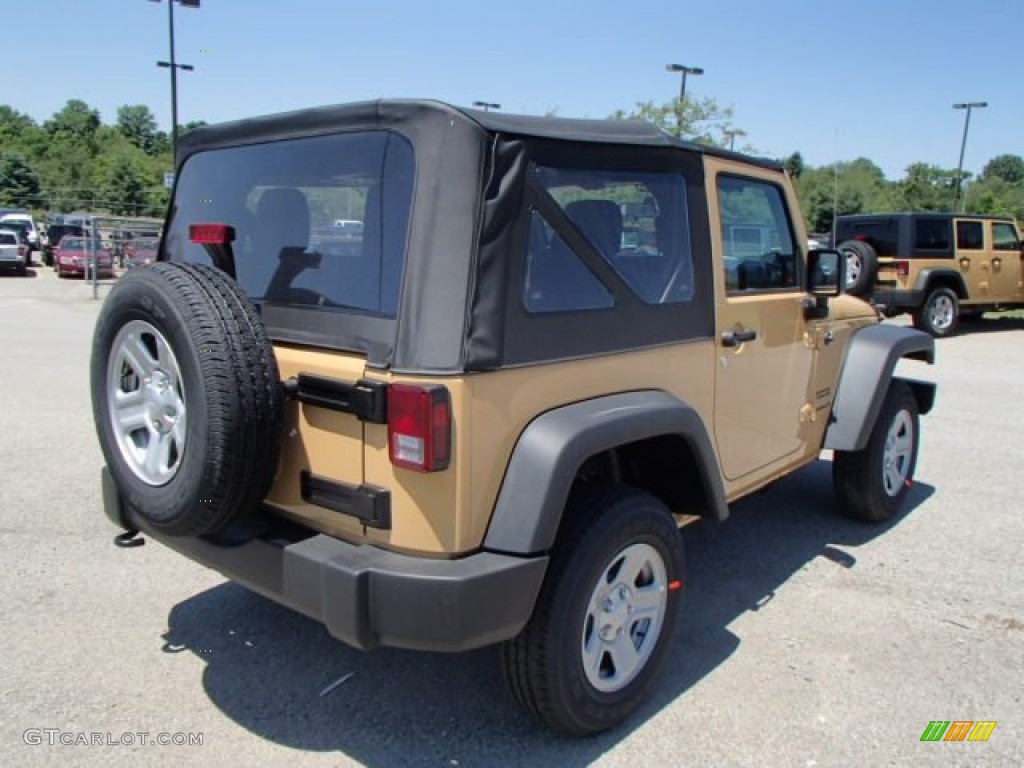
147	403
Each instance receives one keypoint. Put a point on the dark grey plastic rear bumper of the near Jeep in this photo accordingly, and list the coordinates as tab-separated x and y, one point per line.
368	598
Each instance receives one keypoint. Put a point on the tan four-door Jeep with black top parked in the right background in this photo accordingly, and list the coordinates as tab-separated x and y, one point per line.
943	268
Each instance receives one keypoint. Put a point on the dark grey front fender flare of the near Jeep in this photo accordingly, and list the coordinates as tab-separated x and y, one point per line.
868	371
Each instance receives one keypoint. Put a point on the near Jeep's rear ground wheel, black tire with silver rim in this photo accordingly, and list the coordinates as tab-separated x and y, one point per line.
606	617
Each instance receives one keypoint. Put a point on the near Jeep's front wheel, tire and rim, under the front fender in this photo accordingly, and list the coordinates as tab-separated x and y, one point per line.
873	484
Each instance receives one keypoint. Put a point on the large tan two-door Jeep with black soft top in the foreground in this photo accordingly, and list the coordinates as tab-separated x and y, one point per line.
482	418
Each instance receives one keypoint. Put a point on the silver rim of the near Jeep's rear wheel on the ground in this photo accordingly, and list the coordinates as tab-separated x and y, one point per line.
624	618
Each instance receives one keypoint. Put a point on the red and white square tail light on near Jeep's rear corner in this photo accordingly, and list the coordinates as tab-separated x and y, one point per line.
419	428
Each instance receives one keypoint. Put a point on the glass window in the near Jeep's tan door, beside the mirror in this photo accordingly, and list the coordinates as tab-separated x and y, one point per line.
757	237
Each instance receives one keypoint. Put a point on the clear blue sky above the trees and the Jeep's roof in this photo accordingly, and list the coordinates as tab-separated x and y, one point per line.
835	79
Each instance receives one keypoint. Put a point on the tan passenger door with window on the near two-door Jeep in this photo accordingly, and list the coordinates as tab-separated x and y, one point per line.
765	364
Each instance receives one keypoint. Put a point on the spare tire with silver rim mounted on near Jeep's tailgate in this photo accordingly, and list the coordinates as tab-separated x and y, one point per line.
187	398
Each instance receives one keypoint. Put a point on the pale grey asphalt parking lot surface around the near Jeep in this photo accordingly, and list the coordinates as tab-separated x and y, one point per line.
807	639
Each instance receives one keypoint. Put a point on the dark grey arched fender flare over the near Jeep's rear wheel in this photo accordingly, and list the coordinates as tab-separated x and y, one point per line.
553	447
